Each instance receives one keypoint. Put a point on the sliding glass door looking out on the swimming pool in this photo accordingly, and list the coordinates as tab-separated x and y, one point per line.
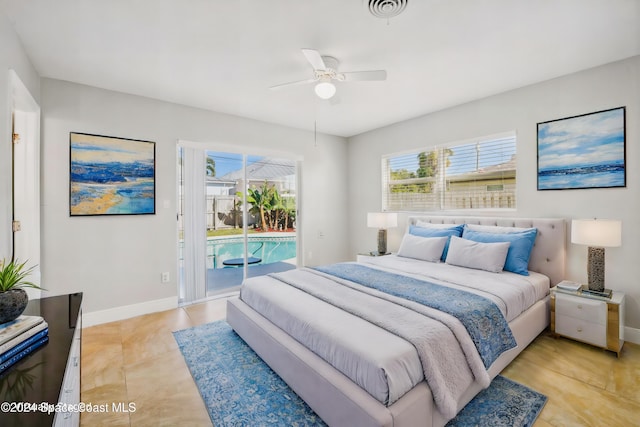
237	219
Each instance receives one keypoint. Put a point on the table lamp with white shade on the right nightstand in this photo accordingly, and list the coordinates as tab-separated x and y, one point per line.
597	234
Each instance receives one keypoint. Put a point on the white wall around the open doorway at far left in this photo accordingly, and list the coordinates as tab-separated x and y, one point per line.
12	56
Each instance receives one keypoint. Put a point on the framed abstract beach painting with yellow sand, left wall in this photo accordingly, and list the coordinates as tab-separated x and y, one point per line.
111	176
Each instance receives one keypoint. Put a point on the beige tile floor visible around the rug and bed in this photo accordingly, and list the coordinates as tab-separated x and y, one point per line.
137	361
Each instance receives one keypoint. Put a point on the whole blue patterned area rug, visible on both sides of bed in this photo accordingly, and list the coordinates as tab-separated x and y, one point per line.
239	389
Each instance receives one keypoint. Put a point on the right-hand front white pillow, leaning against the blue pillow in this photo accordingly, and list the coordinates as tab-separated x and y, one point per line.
481	256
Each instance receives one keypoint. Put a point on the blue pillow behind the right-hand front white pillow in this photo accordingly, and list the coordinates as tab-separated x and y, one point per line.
521	243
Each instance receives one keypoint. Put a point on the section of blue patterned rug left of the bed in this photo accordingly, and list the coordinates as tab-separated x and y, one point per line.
237	387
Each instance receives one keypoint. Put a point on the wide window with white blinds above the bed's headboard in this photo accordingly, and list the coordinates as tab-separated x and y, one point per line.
474	174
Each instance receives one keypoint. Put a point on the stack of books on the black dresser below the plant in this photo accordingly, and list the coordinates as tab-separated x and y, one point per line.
21	337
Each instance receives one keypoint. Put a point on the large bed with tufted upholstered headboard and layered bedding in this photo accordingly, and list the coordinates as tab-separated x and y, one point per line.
364	375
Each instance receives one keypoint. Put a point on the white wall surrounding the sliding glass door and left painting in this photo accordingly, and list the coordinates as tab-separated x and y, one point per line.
117	260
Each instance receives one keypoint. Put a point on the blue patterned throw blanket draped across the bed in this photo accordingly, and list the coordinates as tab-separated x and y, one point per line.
483	320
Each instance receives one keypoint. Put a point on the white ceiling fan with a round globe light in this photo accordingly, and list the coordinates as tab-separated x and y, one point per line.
325	71
